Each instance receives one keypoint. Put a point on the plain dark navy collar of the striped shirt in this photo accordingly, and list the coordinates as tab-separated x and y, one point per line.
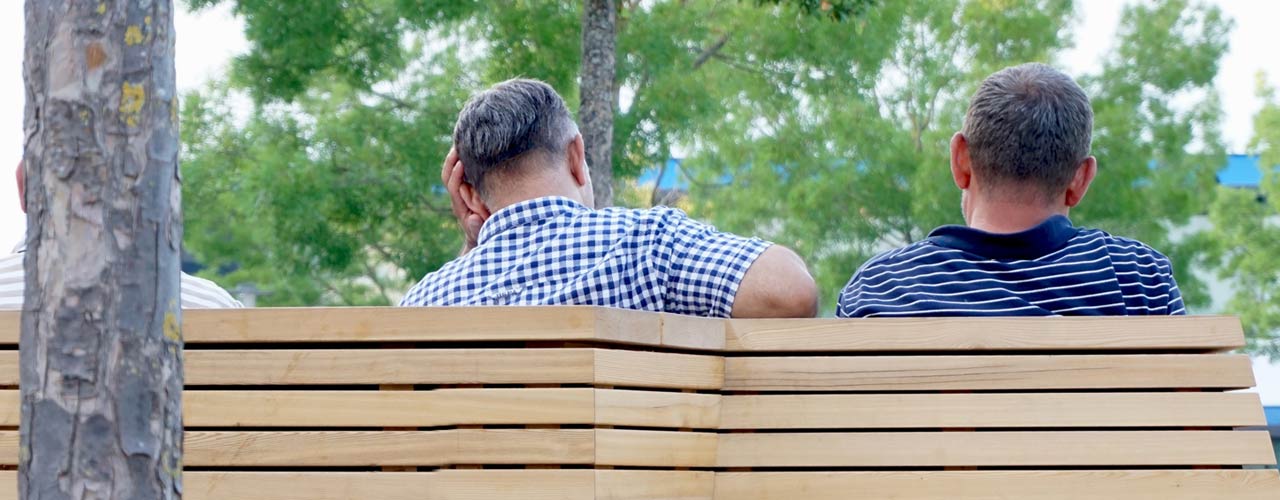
1046	238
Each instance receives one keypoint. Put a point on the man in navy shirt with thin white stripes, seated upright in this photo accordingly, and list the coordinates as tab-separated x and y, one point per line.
1022	162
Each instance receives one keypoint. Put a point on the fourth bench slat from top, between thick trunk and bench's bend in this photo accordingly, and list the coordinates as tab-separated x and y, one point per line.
388	448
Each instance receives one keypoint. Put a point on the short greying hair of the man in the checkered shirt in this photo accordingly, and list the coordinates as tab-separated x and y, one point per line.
502	126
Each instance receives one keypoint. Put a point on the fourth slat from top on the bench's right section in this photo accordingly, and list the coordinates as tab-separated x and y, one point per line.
1000	449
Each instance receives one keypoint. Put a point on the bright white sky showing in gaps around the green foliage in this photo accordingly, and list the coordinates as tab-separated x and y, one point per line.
209	39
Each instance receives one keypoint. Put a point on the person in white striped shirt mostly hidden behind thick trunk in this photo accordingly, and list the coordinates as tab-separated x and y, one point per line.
198	293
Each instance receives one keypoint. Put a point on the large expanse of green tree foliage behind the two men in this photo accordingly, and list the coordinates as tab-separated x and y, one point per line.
830	137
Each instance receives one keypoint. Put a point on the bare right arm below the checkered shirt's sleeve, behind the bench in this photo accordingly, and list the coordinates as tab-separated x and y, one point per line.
776	286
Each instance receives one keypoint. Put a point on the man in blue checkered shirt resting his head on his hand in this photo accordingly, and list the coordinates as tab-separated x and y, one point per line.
522	190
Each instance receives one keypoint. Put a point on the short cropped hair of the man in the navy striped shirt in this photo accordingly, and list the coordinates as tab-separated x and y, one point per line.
1028	126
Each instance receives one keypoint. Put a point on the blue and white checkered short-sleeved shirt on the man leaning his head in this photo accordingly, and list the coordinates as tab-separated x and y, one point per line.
556	251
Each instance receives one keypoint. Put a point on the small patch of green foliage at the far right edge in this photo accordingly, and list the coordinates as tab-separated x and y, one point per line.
1247	233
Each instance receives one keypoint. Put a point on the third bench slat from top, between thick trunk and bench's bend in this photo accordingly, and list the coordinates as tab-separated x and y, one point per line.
431	409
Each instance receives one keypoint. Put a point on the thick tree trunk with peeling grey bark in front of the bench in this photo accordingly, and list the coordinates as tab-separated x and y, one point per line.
102	342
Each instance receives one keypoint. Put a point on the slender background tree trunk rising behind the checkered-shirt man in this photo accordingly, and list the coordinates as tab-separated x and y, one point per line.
600	94
